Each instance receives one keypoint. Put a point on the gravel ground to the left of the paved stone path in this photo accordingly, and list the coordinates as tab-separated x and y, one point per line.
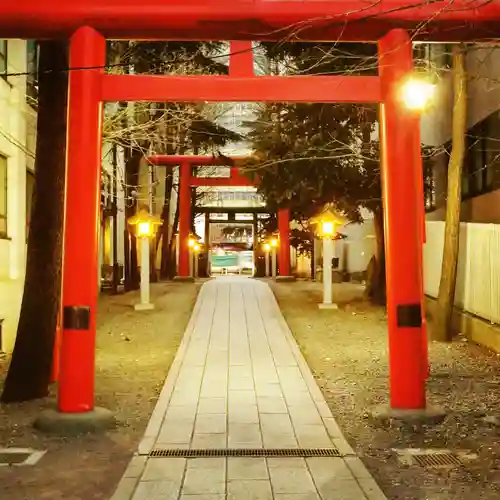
135	350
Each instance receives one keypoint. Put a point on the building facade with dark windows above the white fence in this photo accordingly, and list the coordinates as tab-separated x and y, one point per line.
481	169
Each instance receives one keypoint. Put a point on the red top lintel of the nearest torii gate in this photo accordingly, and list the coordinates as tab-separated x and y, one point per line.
314	20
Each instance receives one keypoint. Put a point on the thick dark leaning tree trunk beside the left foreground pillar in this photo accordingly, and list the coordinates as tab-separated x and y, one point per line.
29	371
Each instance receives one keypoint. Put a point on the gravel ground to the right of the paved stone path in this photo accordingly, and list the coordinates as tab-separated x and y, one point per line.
347	352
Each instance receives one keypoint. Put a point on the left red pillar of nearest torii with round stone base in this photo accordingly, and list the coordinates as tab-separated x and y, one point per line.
75	402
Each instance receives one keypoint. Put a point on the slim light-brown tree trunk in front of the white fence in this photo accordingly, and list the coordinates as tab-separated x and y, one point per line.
446	296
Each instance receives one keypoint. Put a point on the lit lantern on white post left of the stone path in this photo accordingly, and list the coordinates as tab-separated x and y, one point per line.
145	227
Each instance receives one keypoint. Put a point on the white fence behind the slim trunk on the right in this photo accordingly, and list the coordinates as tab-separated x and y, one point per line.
478	277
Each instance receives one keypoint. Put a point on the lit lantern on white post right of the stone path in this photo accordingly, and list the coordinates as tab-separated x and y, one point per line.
327	222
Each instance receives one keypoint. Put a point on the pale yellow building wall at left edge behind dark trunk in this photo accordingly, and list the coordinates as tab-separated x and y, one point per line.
17	153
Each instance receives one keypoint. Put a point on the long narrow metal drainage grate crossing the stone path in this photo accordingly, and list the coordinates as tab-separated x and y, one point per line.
243	452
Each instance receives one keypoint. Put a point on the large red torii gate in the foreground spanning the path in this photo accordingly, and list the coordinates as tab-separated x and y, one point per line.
387	22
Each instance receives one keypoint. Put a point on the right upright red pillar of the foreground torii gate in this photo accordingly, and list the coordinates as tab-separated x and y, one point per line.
403	230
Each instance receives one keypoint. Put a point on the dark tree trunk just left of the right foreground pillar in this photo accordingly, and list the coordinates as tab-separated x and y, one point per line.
376	282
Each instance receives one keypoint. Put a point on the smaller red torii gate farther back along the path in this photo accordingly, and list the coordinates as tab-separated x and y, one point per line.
187	180
